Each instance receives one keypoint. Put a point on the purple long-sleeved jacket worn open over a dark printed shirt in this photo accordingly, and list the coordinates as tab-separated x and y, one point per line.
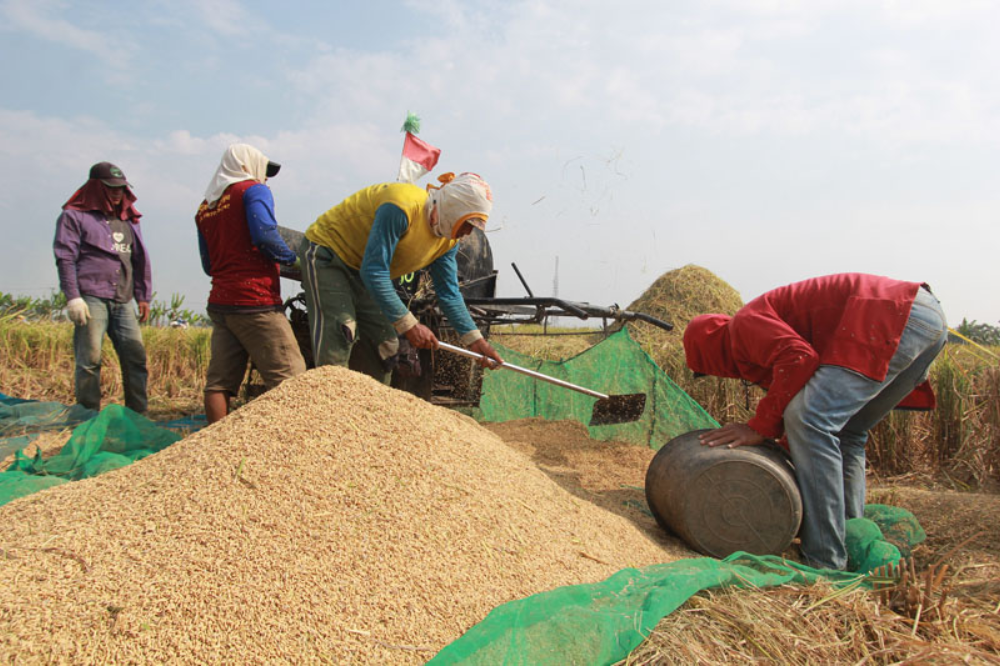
87	262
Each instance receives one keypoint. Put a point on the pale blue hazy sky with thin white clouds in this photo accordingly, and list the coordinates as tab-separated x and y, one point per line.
768	141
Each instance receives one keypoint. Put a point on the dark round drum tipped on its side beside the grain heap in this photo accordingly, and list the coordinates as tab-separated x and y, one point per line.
721	500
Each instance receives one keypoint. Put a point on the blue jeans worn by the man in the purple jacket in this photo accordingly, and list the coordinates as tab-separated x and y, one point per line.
118	320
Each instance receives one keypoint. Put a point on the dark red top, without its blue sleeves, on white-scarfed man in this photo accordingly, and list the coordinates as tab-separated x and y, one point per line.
241	274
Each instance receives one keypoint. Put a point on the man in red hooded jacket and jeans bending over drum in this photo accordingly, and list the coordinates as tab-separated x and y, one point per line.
836	354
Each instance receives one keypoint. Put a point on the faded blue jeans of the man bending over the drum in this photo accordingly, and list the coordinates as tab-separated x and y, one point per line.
827	425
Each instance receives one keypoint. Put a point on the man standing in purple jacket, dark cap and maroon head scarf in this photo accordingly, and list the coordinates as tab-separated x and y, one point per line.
103	265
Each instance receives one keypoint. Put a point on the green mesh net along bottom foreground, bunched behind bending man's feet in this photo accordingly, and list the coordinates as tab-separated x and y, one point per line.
601	623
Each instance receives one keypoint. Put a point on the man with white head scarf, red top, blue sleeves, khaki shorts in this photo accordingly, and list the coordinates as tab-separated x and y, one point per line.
241	249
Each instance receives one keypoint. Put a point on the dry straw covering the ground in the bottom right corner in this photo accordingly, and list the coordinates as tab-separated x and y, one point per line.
794	625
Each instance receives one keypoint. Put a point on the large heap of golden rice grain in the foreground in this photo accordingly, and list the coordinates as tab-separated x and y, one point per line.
332	519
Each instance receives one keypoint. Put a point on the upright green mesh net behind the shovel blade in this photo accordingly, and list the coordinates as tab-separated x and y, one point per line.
616	365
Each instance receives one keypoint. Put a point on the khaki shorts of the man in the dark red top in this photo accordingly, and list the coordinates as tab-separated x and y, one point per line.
266	338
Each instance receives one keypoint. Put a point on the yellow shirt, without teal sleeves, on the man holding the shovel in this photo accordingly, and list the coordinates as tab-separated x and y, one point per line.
345	228
